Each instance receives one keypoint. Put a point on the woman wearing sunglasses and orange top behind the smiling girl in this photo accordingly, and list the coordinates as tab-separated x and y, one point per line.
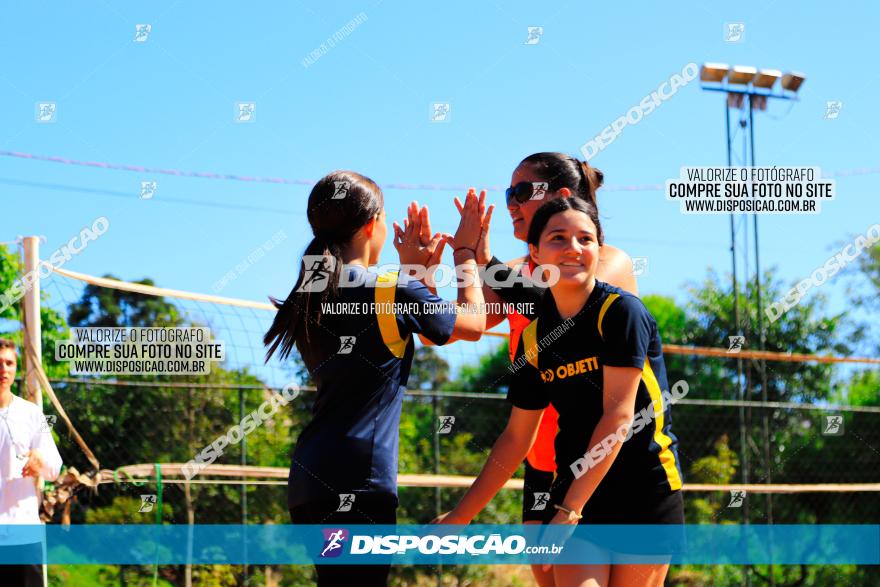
540	178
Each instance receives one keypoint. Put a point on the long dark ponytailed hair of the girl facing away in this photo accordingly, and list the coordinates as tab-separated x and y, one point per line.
340	204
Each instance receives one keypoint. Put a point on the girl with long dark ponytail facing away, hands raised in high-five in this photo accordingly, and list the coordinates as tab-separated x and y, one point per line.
344	465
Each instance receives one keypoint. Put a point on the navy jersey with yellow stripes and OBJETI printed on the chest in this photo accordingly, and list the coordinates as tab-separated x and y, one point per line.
561	363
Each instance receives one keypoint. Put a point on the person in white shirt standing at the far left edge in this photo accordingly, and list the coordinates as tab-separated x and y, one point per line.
27	453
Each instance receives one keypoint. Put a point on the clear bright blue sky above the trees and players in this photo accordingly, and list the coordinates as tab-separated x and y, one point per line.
169	102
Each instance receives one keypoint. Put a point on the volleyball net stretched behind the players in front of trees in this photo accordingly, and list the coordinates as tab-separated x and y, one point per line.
743	460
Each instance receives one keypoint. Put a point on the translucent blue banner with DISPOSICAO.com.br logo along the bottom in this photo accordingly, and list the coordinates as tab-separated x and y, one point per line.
432	545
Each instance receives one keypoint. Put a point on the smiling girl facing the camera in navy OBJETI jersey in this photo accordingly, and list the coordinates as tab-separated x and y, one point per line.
603	367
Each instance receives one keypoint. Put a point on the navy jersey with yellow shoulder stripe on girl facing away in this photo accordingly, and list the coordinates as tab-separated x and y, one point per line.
360	357
